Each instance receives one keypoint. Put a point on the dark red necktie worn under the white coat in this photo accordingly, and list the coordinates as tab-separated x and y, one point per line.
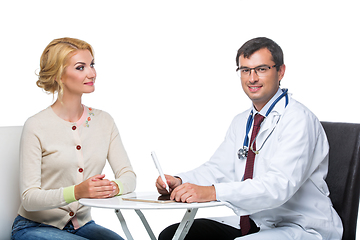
249	169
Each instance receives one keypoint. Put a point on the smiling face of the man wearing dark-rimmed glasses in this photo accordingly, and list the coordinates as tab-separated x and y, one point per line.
260	84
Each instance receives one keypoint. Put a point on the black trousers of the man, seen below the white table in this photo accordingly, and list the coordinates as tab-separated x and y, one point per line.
207	229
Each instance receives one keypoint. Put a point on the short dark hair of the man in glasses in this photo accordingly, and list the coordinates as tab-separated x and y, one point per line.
255	44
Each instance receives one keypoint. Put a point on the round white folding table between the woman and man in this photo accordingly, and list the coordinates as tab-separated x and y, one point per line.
118	203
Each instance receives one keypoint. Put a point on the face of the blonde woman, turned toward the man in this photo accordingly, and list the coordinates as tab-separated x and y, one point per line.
79	76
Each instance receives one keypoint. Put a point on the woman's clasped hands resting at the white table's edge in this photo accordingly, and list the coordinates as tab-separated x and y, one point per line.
96	187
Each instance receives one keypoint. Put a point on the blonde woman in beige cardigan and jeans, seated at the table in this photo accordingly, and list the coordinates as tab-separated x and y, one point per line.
64	149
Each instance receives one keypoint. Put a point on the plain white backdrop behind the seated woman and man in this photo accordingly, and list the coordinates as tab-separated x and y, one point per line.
166	71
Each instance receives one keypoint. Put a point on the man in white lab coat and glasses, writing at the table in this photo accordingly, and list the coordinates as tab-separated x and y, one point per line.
273	179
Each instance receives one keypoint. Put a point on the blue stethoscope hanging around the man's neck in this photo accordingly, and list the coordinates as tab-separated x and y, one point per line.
243	152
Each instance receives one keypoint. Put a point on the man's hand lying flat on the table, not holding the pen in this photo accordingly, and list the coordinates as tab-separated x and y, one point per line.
189	193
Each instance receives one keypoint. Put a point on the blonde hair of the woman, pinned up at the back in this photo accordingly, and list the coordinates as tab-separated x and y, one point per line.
54	60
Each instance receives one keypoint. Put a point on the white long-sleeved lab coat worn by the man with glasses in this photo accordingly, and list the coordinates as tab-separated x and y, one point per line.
288	186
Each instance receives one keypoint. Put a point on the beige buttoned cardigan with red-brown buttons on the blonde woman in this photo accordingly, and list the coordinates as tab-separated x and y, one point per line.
55	155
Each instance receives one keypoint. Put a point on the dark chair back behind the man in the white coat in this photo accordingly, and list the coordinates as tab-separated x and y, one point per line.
343	178
